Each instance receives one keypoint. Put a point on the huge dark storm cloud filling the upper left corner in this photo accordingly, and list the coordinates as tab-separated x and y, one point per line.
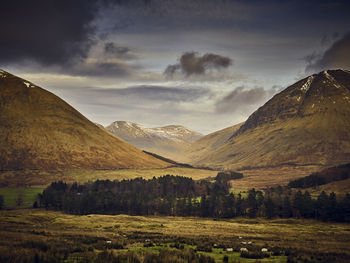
47	32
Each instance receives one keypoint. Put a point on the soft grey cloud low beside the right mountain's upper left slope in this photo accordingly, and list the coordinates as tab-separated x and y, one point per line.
242	99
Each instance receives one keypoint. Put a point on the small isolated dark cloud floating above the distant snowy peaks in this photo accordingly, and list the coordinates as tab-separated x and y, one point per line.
192	63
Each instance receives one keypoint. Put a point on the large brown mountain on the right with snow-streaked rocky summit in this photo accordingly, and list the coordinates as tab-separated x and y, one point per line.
307	124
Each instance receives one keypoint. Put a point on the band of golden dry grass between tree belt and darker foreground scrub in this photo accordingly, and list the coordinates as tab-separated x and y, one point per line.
306	235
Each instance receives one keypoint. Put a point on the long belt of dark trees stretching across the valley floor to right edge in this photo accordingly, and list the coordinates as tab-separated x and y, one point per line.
181	196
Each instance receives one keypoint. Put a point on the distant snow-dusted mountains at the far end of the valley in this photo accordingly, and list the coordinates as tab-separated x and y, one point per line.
167	141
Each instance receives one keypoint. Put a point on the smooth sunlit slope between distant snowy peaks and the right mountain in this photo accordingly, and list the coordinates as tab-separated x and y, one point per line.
208	144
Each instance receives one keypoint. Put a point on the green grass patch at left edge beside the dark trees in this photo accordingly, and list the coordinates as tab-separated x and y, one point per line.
19	197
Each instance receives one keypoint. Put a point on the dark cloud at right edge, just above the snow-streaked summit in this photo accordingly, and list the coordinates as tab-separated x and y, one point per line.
337	56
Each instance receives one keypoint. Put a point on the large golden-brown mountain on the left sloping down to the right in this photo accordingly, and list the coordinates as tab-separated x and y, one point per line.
38	130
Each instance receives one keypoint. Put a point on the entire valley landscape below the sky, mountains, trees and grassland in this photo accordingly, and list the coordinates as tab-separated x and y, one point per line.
206	219
